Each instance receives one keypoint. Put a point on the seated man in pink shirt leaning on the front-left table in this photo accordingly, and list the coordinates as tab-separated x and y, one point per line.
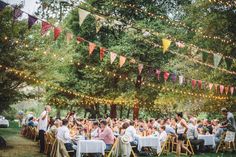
106	135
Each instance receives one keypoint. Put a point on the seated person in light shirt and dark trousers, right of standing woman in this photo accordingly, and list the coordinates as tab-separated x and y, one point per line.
192	135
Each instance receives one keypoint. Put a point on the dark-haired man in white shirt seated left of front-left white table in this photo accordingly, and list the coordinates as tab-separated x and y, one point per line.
63	134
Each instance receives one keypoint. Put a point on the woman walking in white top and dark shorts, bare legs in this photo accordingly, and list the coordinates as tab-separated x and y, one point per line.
182	129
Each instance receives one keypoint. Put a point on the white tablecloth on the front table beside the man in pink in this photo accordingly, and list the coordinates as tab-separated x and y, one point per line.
90	146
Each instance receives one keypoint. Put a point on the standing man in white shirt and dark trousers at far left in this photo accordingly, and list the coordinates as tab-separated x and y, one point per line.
43	123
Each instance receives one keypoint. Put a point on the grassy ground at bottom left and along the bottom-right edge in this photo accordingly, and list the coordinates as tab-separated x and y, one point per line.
18	146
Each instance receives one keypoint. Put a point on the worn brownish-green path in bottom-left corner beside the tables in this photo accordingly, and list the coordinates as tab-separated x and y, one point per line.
18	146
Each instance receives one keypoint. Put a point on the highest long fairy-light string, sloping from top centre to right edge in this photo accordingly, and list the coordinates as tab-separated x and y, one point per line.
174	23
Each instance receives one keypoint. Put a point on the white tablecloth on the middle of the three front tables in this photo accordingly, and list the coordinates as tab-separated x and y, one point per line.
149	141
